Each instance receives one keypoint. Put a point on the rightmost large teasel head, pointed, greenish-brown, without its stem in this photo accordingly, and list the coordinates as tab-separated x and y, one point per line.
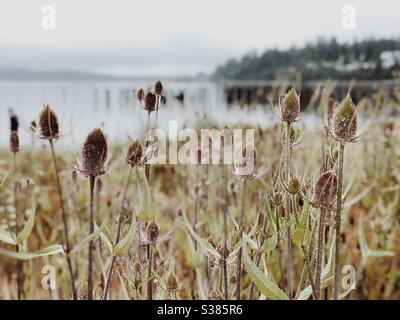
344	121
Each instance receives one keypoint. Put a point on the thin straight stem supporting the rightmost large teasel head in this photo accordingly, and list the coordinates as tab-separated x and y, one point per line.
338	220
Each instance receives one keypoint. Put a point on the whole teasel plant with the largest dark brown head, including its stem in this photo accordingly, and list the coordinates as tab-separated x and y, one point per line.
93	164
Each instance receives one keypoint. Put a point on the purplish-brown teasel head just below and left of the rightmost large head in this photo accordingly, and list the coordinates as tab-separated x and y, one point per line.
324	193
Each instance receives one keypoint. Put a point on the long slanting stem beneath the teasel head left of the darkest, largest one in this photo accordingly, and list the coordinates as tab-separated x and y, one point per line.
65	224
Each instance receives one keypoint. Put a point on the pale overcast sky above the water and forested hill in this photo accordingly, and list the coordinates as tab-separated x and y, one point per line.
174	37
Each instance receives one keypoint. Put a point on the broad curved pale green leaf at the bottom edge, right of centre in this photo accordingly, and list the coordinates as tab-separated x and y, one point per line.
262	282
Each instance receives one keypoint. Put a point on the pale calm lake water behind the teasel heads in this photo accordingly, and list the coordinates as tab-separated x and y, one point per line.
113	106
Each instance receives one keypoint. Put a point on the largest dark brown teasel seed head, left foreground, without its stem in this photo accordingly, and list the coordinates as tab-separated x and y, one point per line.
94	154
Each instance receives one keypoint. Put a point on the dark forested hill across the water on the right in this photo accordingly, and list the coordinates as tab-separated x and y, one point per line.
368	59
